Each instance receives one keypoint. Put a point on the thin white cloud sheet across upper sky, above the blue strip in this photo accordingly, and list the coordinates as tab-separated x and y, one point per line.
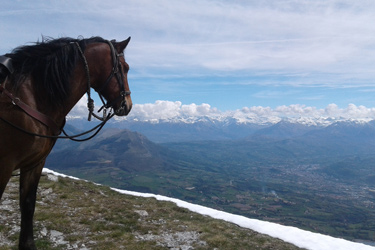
286	36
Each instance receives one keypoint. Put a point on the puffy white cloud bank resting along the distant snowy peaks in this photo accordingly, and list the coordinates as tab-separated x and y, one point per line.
172	111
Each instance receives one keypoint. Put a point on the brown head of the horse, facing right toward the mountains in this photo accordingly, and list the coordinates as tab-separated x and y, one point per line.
109	72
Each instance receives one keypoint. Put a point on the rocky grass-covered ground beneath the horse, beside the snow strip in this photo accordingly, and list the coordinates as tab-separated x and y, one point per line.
74	214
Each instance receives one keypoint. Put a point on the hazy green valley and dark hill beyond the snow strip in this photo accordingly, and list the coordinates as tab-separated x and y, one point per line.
315	181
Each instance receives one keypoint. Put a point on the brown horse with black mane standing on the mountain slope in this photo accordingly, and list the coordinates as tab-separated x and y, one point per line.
43	83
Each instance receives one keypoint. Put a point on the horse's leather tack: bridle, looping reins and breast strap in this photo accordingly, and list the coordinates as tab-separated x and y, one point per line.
116	71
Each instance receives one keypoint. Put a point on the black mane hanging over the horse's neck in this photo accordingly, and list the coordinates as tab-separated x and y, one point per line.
50	63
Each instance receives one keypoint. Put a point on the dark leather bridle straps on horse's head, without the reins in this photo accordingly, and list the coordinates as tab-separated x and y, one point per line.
116	72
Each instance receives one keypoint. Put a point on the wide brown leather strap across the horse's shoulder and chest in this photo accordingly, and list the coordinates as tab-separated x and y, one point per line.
32	112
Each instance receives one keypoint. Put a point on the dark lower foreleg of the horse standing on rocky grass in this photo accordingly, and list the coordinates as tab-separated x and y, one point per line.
28	187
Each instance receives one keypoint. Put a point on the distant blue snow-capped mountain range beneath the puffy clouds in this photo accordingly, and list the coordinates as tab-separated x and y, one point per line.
201	128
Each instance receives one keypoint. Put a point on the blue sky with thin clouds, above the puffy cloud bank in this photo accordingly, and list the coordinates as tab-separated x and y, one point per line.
231	55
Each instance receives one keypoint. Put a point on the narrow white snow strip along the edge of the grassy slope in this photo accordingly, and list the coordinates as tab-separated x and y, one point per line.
296	236
